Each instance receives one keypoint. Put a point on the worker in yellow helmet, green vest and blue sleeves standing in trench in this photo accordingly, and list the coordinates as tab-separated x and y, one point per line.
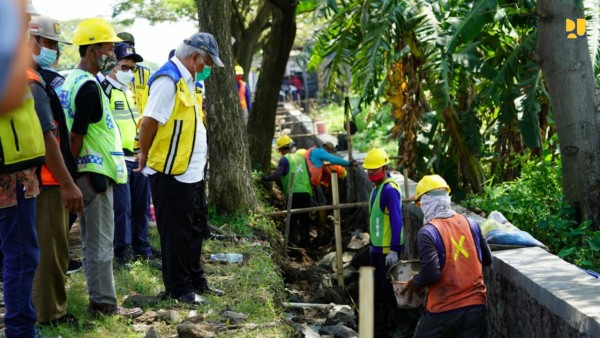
385	210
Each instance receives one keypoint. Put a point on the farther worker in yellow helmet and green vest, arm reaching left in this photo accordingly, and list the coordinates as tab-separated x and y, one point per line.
302	190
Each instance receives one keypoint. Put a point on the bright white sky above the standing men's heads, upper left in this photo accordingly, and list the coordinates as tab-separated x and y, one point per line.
153	43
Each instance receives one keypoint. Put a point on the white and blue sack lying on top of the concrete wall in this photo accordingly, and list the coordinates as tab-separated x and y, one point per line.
498	230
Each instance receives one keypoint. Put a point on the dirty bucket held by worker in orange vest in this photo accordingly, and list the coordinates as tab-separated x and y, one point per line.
400	274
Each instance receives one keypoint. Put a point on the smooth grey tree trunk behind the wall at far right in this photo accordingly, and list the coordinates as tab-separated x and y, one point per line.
569	75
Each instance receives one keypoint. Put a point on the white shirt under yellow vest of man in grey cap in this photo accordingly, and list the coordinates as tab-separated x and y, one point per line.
160	107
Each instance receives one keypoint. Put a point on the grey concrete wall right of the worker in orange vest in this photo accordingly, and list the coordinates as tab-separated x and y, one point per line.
532	293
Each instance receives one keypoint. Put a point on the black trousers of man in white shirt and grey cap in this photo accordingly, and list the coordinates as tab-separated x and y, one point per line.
181	222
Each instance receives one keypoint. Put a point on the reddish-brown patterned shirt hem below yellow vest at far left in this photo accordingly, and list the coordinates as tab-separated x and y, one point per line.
8	184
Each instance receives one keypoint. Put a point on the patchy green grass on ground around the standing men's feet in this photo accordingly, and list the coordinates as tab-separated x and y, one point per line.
254	287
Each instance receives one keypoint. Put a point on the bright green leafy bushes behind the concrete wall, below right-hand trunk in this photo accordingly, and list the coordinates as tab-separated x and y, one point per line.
534	203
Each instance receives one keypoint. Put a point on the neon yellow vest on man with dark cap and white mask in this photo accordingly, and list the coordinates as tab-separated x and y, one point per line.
122	106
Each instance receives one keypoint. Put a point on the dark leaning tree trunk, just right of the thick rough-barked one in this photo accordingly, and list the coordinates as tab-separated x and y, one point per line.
261	123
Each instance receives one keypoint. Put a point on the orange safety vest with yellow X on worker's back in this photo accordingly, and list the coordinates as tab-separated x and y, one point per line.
461	283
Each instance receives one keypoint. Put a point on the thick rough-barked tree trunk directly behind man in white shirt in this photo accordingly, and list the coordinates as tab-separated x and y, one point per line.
230	180
